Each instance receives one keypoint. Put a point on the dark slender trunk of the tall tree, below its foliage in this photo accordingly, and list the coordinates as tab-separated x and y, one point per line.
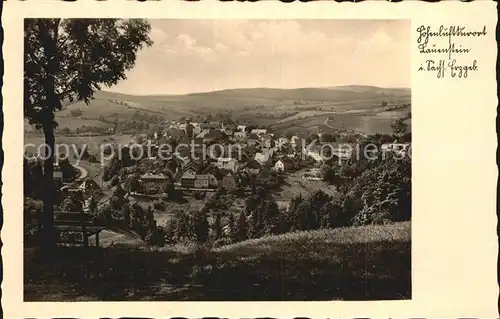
49	192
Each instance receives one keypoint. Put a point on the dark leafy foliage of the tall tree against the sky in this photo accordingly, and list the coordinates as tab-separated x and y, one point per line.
69	59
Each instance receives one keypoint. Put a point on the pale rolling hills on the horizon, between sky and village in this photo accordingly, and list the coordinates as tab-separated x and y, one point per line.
261	106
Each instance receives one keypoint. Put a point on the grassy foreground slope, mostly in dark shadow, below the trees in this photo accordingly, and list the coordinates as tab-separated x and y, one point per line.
365	263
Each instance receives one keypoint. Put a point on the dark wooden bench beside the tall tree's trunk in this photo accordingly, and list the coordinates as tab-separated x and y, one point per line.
77	222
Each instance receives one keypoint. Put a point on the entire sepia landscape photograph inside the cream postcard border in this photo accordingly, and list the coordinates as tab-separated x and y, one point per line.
217	160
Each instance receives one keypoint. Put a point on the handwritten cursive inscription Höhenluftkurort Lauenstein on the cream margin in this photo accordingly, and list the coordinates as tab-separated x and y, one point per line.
443	42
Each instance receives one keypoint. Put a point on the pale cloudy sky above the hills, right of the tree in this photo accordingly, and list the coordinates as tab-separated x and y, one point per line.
206	55
